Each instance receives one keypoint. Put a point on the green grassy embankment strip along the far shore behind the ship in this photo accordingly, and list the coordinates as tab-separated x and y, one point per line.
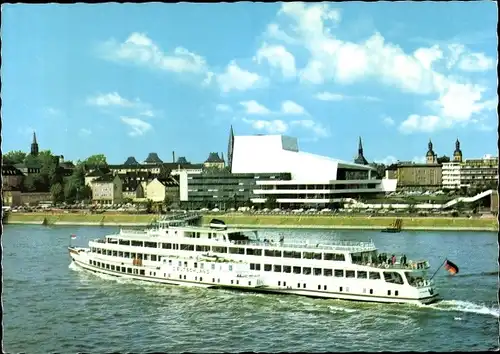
267	221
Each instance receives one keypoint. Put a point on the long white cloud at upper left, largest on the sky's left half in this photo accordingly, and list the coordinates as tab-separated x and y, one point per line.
139	49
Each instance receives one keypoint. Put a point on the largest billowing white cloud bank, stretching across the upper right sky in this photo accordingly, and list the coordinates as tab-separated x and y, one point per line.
344	62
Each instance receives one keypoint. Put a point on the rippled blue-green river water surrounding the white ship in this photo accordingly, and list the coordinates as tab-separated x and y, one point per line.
51	306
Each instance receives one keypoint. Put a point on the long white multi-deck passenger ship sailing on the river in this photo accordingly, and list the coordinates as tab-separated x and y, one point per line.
176	253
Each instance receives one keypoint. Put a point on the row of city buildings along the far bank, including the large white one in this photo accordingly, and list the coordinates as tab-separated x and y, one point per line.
270	168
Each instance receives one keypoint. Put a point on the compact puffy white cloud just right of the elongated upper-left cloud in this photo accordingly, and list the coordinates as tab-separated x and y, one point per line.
238	79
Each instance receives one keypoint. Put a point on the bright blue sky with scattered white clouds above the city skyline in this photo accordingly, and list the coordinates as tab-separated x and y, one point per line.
129	79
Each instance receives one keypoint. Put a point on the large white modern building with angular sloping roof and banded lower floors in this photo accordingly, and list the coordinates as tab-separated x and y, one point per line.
315	180
